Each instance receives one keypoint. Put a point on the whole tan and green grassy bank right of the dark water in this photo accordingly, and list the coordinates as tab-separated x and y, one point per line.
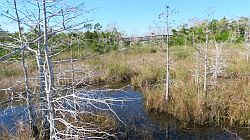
227	101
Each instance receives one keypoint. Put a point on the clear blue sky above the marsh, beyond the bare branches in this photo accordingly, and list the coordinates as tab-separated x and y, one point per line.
139	17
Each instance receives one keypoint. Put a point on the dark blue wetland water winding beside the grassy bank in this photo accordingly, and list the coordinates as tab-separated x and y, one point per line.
142	124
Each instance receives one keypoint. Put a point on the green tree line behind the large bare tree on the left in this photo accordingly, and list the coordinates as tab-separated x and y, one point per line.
94	39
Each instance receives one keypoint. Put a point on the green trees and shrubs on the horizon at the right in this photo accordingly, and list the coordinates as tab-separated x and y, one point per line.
222	30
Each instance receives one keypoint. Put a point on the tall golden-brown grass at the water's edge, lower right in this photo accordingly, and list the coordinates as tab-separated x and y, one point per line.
221	106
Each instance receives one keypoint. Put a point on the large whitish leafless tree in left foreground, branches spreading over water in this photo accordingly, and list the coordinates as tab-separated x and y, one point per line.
61	108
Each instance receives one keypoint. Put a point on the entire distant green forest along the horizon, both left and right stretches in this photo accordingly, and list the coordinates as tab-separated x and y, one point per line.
102	41
